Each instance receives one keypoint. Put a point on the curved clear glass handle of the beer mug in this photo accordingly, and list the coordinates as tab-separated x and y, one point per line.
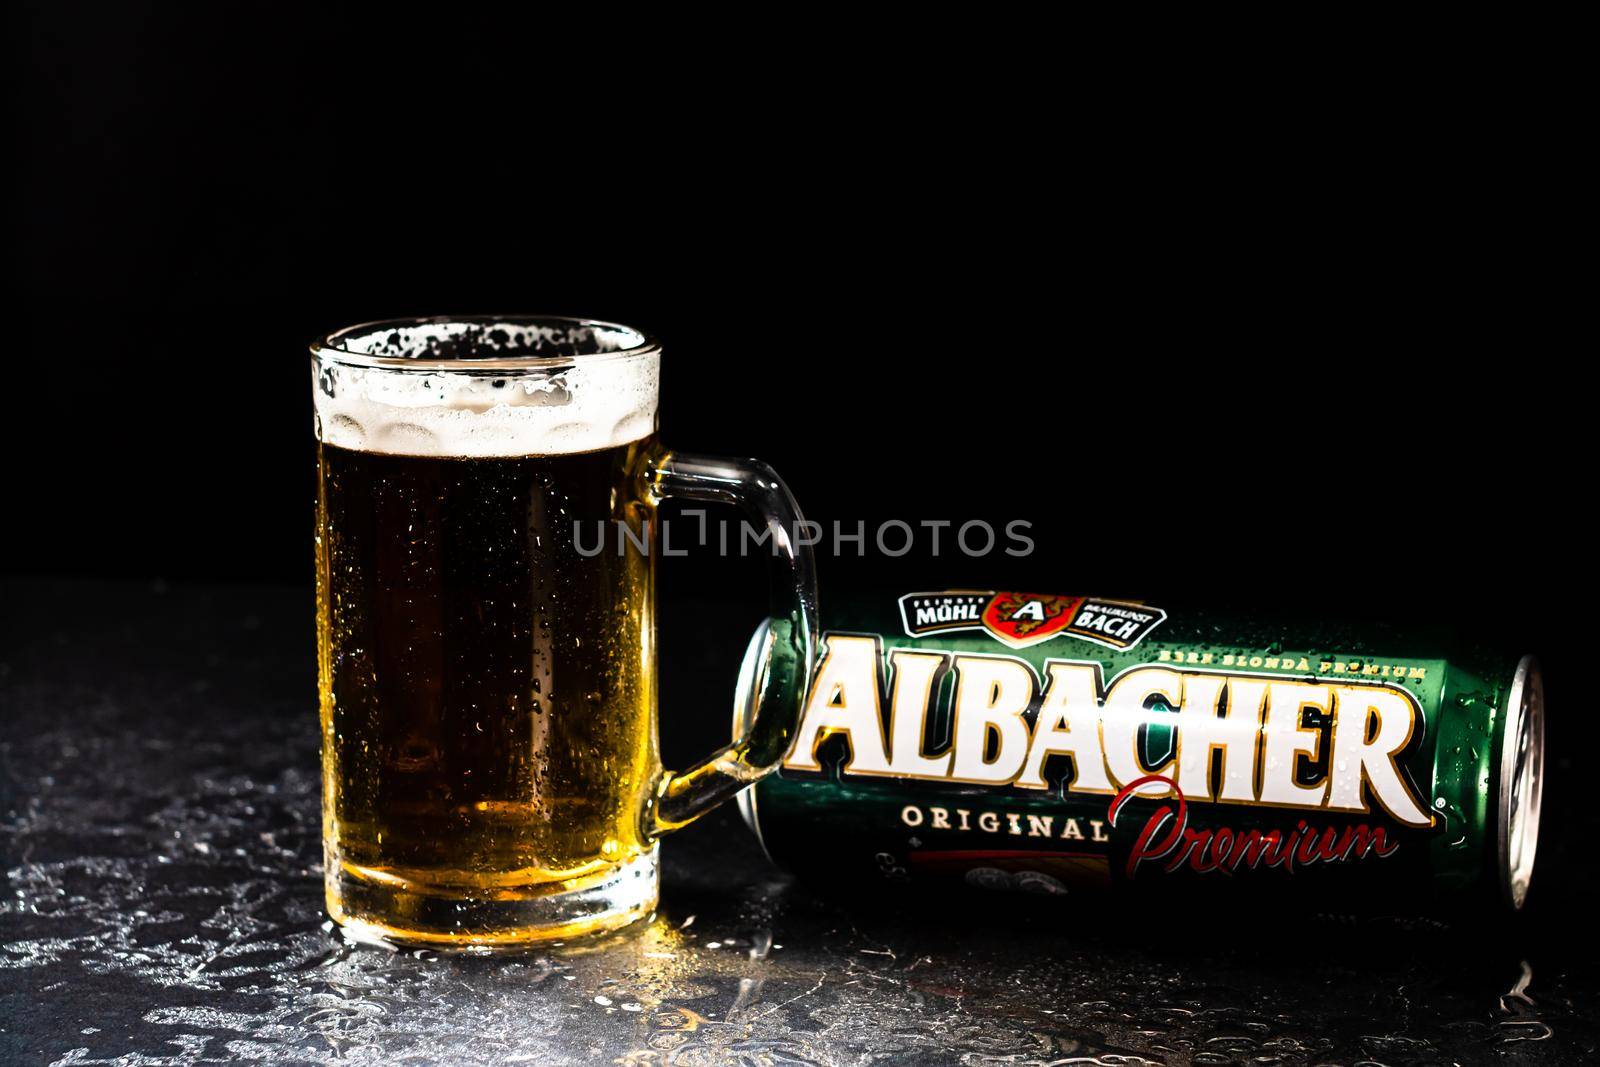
791	647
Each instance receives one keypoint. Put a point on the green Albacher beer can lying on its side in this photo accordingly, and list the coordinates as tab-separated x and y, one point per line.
1052	745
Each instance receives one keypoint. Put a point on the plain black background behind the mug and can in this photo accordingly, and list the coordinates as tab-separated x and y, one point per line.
1276	338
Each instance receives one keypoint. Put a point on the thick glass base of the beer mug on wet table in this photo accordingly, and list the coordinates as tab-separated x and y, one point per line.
393	913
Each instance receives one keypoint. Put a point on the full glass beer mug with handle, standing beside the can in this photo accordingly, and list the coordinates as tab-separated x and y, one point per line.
487	677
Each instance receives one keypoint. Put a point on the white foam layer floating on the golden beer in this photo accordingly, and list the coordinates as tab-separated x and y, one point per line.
585	406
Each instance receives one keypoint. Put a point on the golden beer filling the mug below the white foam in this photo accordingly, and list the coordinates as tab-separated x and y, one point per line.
489	692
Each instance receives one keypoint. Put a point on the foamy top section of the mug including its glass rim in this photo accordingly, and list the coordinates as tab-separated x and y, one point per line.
577	398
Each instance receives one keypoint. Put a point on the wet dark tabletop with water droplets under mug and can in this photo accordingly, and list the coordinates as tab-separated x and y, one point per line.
164	906
